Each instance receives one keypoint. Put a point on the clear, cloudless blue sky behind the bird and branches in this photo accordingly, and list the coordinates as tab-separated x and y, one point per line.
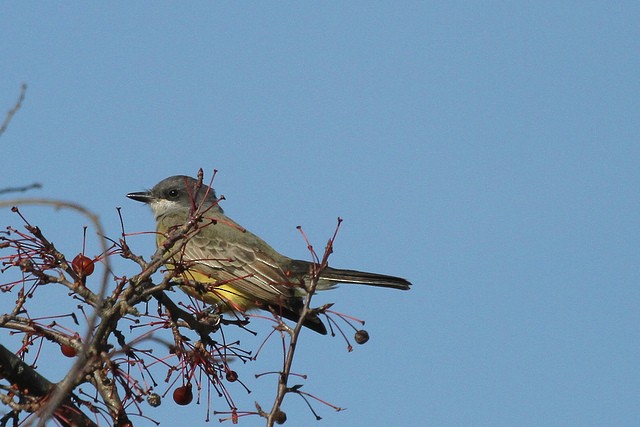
487	151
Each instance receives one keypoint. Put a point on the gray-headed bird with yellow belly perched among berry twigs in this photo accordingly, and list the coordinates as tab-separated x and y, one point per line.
225	265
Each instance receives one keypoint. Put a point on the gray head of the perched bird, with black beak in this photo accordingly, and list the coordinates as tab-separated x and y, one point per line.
177	193
